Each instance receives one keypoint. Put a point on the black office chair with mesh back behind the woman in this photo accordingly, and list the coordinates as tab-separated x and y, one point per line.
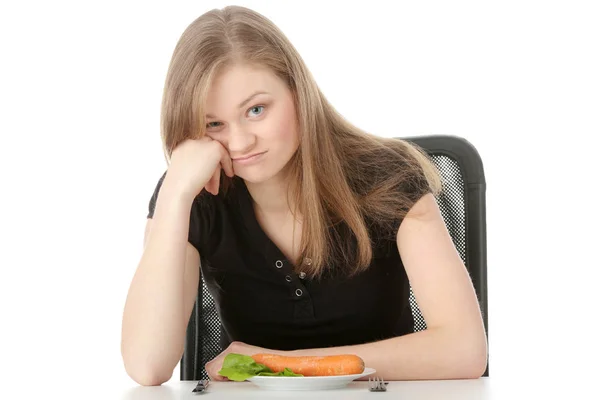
463	206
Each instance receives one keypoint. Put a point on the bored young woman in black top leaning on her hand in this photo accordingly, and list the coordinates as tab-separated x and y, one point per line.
307	230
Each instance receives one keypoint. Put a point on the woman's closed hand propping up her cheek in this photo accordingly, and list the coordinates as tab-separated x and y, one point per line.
196	164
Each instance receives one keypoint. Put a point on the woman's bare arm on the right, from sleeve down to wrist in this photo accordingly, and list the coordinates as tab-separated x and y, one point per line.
454	346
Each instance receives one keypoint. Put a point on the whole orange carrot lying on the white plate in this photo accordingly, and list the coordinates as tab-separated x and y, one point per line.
342	364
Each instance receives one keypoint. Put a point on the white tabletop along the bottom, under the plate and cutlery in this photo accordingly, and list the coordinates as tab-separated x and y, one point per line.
508	388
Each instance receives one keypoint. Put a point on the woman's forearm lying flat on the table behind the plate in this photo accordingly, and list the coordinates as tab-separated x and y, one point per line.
429	354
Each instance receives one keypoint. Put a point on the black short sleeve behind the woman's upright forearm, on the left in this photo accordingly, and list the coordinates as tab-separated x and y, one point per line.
202	217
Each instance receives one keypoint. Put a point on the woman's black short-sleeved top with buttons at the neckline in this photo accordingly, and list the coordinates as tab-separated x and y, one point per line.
261	300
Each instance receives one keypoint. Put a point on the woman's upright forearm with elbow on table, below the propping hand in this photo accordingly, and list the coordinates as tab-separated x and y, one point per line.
154	319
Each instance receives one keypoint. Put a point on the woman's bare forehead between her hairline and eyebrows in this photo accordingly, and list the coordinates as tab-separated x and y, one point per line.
235	83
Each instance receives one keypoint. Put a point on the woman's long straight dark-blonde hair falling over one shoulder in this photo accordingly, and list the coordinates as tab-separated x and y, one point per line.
348	185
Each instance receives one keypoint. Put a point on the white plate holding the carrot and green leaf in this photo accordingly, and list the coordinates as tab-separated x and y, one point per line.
306	382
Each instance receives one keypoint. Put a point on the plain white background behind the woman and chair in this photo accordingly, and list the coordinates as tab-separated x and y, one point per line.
80	88
